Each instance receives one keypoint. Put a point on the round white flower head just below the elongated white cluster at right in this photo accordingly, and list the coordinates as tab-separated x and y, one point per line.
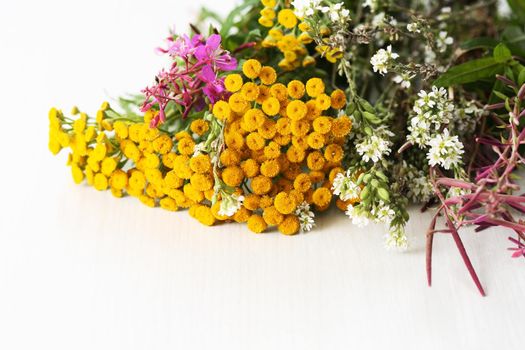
445	150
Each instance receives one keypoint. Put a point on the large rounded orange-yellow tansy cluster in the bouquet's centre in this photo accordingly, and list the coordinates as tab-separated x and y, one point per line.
282	147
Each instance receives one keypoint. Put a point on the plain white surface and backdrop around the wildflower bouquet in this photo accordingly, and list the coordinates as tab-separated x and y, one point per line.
80	269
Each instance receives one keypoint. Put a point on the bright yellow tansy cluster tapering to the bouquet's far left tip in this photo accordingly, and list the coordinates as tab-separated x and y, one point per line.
129	157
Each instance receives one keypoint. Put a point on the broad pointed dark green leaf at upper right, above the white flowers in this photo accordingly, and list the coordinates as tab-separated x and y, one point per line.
469	72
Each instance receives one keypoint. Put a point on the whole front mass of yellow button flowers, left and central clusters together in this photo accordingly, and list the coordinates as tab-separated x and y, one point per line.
277	147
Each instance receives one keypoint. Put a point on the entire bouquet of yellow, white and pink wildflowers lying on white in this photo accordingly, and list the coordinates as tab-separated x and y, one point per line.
286	107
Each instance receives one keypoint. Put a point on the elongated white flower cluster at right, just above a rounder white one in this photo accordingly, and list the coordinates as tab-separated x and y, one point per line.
431	110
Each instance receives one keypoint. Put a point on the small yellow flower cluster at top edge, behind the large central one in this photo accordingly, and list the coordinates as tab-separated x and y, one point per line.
282	35
